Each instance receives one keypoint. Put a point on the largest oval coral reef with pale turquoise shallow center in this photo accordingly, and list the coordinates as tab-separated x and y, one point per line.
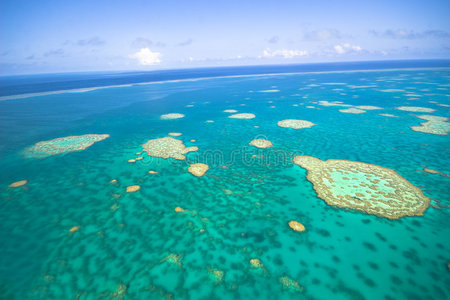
364	187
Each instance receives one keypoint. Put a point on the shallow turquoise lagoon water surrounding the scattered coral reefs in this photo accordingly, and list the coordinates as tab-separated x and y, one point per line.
240	209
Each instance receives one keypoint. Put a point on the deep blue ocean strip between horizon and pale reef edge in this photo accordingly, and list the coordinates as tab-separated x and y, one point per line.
12	85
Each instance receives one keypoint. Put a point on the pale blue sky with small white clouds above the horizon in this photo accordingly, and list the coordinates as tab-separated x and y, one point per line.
75	36
